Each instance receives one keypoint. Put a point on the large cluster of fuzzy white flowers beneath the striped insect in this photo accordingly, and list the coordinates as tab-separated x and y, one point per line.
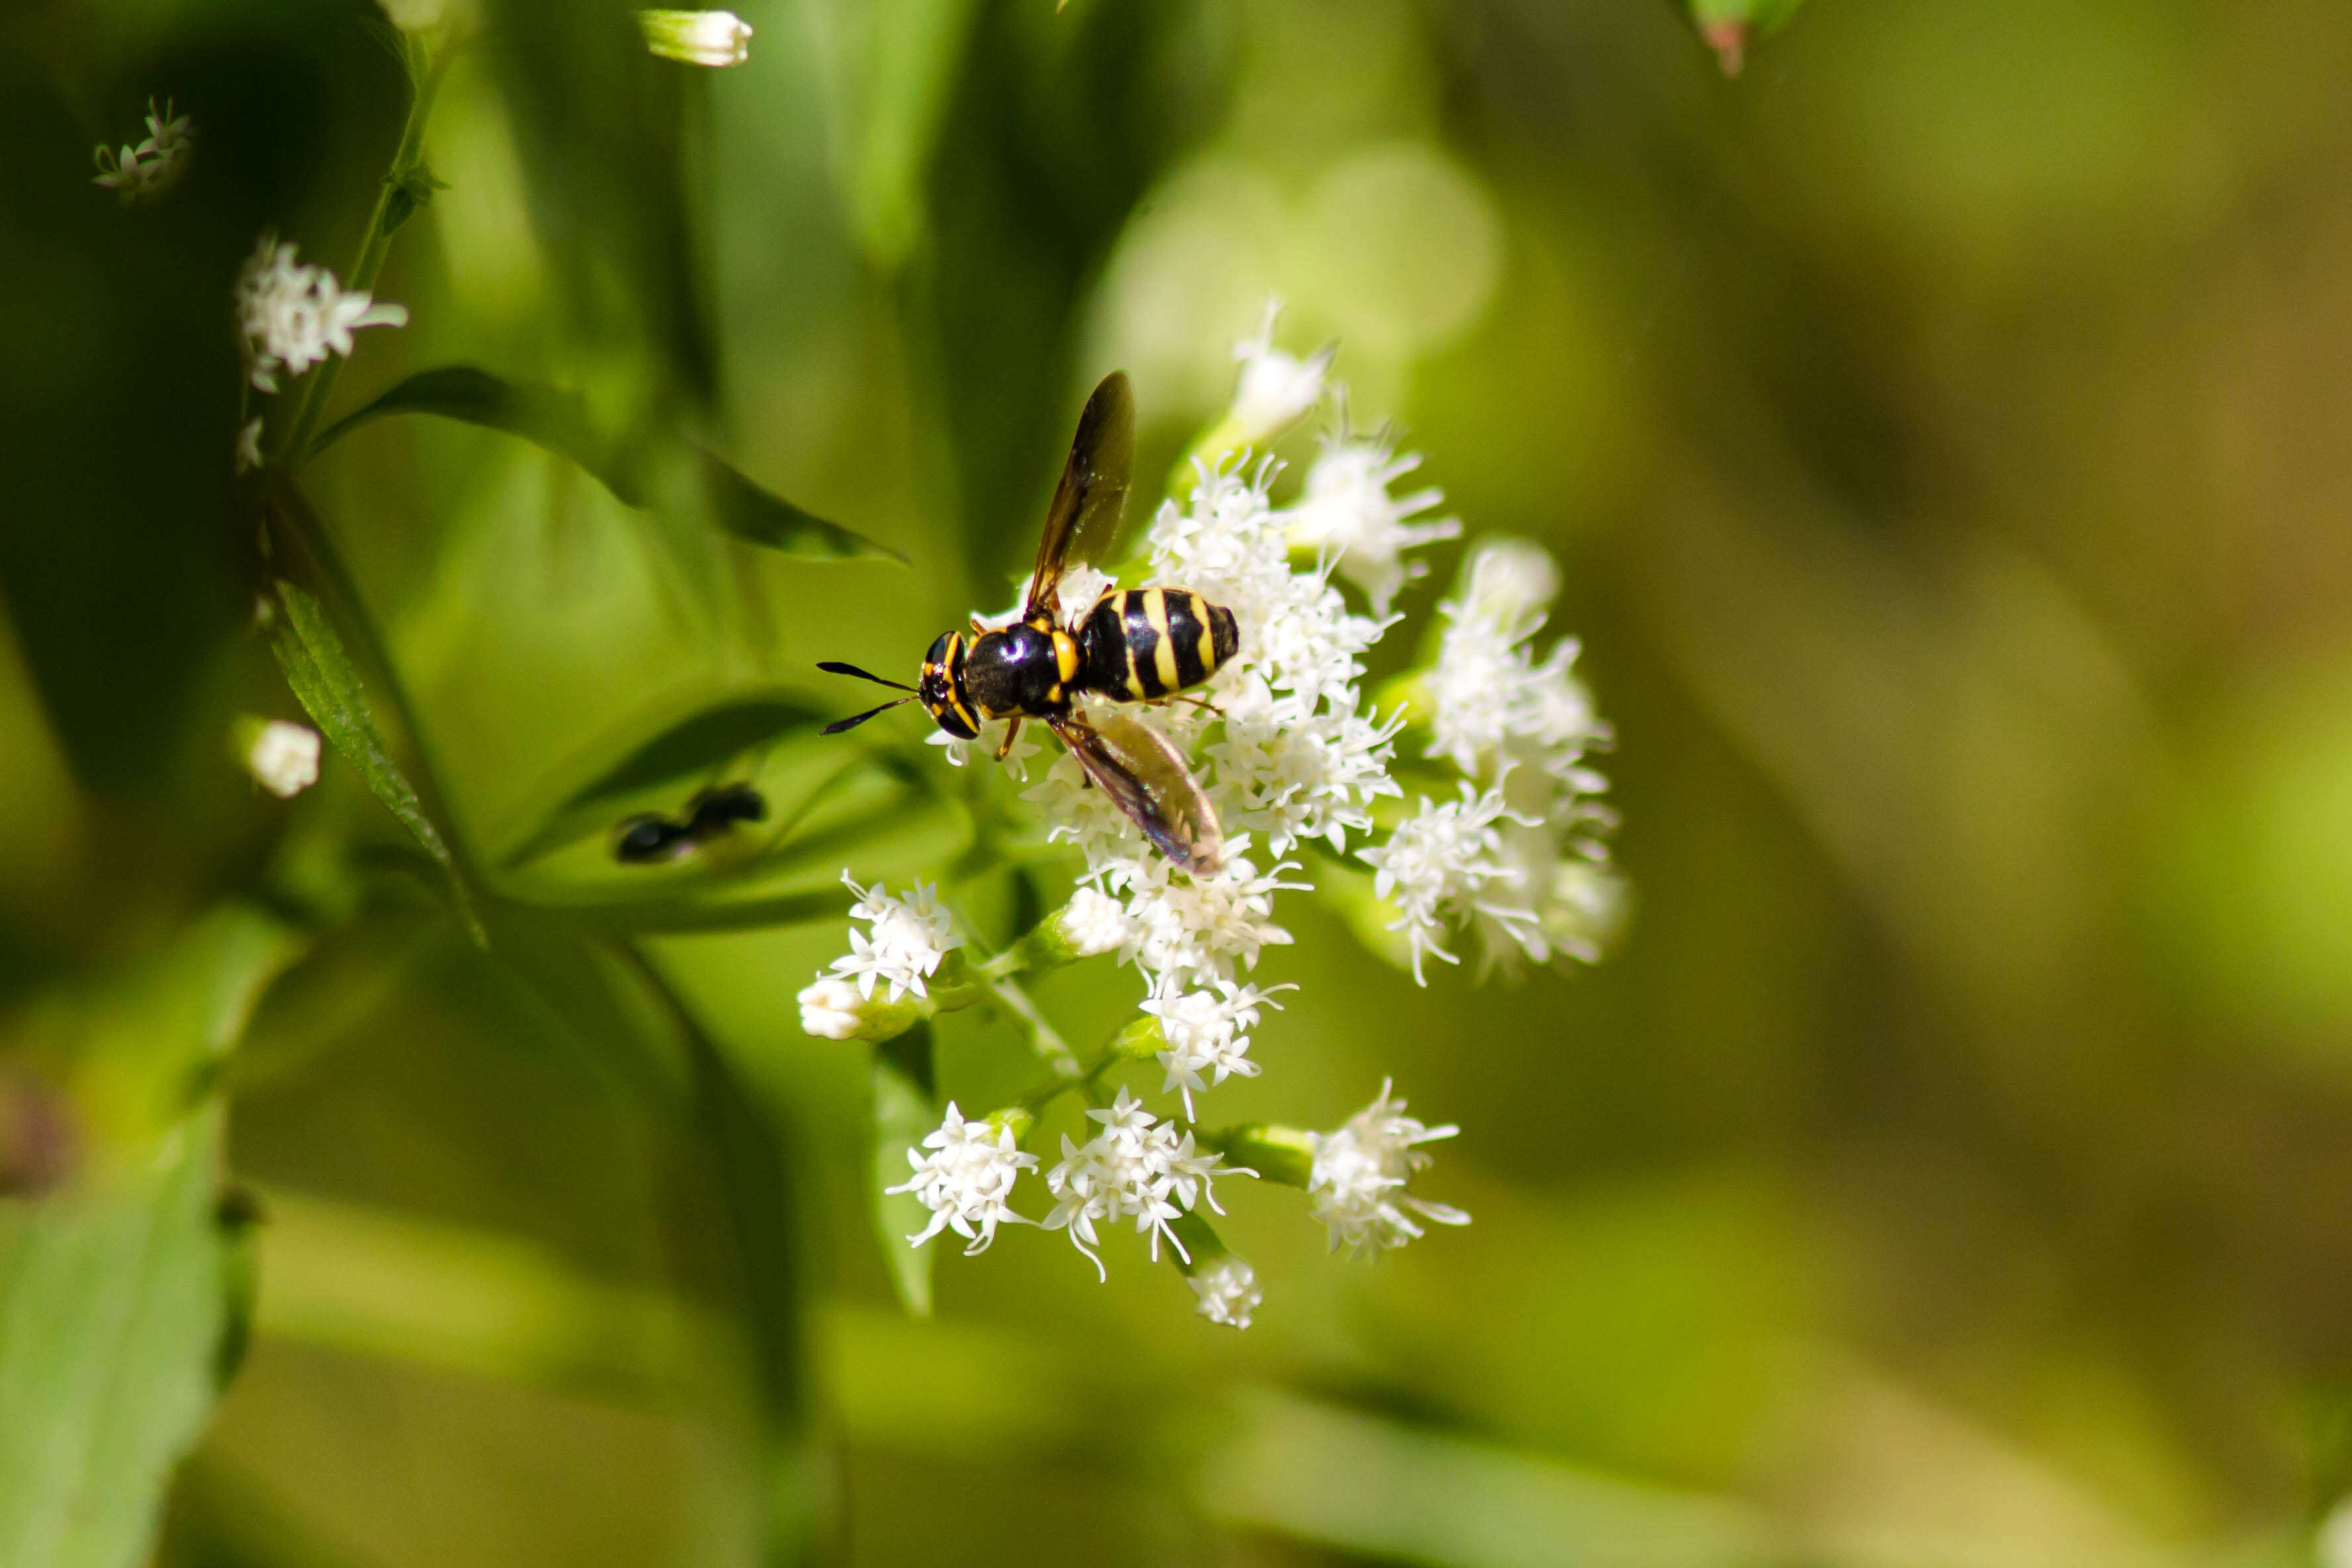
1295	758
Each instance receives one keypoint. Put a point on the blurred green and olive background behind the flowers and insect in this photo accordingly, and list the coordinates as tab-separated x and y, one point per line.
1944	434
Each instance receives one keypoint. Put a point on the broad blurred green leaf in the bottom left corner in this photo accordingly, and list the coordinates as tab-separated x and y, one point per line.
116	1296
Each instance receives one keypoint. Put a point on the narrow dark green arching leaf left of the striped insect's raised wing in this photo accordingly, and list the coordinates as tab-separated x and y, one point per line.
646	469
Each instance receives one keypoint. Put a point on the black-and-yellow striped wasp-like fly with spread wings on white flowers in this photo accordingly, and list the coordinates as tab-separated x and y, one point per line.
1132	645
